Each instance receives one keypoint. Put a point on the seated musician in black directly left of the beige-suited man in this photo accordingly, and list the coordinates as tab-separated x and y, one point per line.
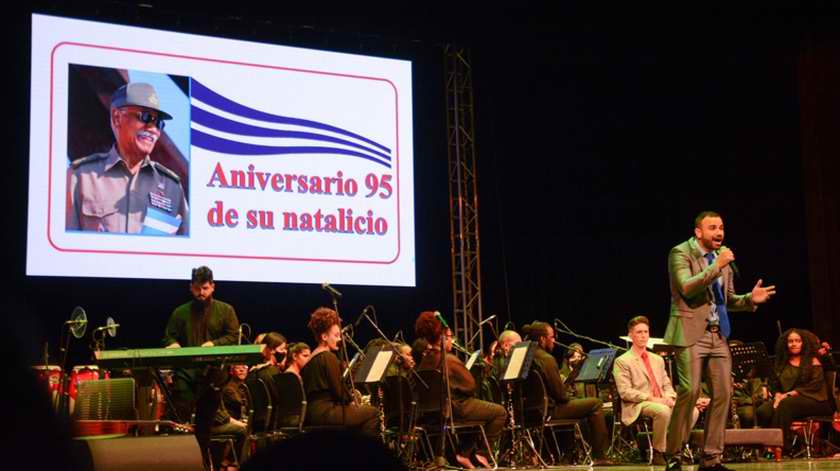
560	405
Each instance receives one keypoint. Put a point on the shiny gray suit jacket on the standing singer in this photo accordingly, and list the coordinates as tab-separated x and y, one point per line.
691	293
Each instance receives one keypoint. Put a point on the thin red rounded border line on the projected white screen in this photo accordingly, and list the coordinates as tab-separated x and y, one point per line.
257	257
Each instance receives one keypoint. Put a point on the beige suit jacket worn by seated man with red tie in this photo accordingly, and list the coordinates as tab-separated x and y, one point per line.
634	385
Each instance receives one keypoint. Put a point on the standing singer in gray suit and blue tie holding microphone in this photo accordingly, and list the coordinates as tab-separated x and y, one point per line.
702	292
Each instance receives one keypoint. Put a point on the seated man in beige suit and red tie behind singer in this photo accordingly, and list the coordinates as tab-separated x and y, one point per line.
644	386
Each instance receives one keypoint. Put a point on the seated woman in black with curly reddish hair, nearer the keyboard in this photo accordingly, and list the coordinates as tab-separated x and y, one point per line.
328	396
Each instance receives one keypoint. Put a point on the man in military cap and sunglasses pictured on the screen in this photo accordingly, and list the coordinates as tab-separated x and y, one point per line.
123	190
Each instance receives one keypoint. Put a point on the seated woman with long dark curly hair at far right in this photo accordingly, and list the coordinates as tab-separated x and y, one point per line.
798	388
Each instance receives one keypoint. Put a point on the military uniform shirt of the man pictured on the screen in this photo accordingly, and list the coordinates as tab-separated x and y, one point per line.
104	196
